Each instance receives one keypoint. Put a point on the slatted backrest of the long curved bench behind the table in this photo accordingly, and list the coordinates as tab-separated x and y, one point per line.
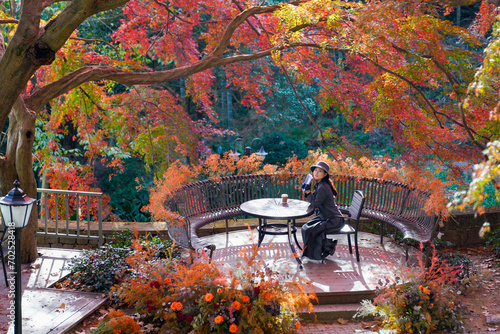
229	192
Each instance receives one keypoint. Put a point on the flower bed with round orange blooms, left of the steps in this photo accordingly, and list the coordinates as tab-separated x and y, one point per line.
202	298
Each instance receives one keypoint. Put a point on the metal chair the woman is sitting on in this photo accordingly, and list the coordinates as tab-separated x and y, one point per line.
352	221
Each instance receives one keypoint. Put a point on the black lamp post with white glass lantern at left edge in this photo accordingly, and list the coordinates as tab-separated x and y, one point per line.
16	210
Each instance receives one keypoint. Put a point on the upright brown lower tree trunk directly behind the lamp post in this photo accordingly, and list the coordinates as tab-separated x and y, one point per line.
17	164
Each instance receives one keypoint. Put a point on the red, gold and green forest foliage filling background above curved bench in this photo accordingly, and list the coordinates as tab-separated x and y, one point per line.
390	81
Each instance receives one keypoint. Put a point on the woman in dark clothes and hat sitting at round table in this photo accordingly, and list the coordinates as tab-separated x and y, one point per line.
322	197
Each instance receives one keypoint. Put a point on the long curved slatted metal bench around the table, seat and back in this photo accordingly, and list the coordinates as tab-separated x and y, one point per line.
207	201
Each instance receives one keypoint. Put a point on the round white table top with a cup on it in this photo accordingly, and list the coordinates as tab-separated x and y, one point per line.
274	208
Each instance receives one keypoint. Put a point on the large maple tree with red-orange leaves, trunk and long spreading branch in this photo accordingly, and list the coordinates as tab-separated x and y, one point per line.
380	61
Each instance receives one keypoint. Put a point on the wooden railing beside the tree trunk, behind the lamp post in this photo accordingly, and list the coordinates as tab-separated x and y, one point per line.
65	213
